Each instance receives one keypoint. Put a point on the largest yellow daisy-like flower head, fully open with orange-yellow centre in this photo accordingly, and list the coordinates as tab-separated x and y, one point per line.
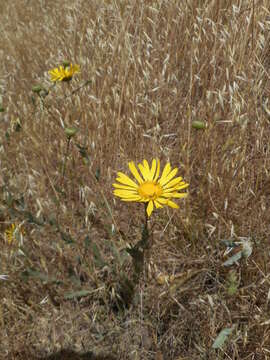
149	188
